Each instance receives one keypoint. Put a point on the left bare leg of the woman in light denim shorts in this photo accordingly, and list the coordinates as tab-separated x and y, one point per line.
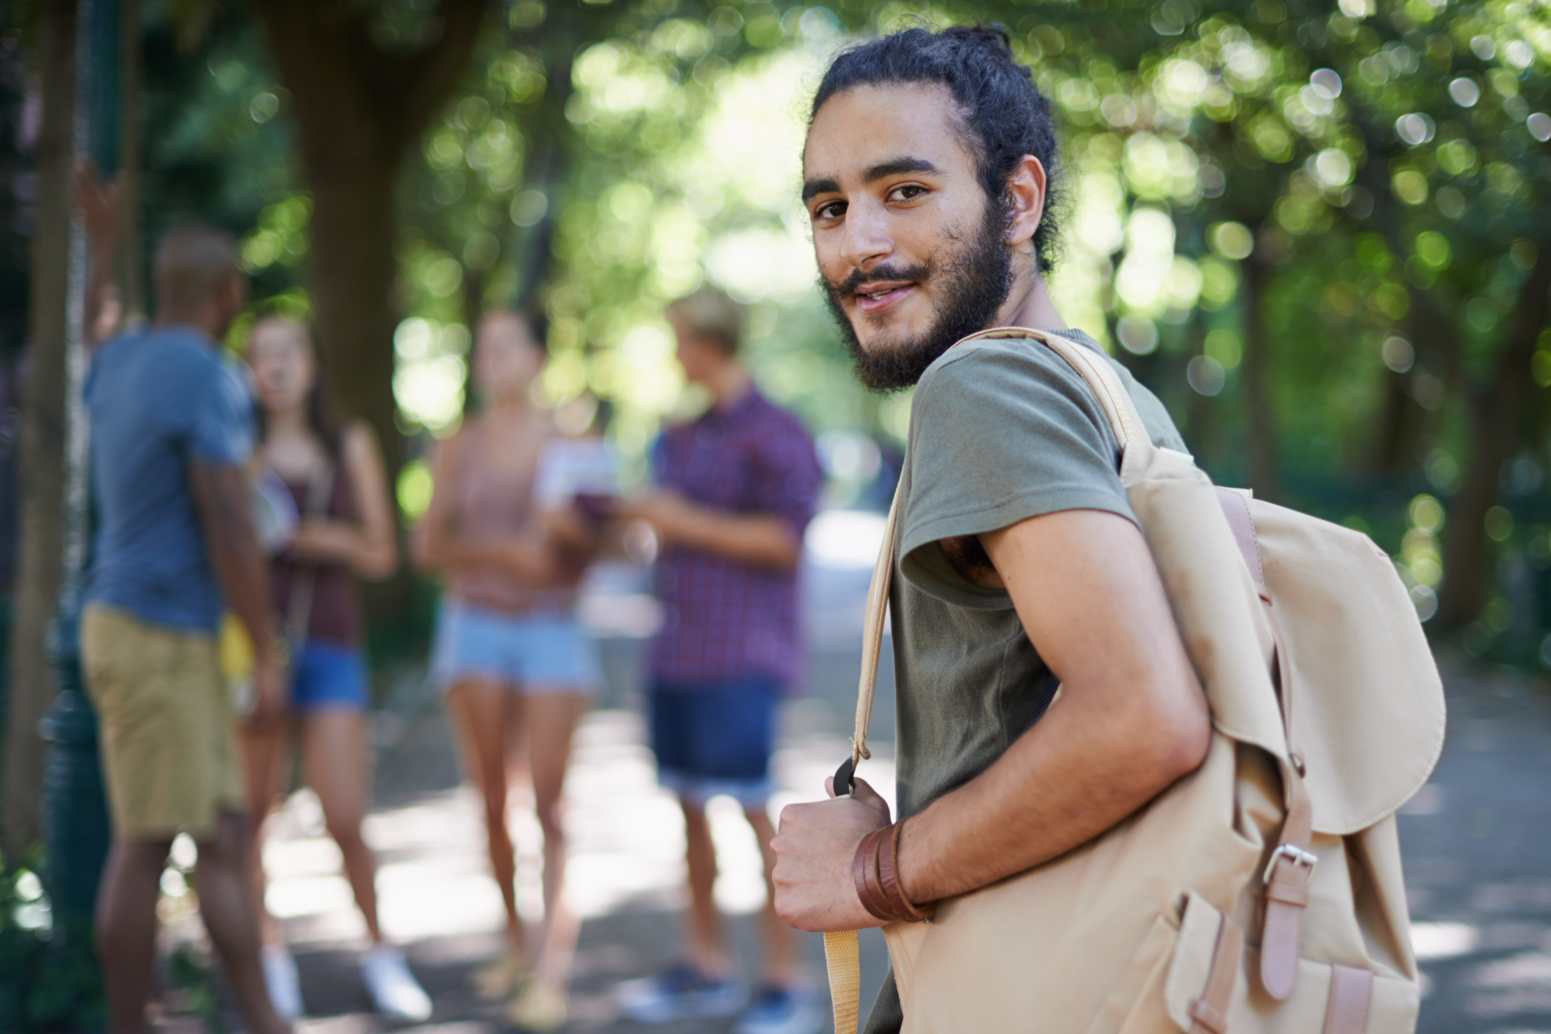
483	711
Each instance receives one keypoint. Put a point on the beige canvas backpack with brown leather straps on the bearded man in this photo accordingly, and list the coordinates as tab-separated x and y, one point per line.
1260	894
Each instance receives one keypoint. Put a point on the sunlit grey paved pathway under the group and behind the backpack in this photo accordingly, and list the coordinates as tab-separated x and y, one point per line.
1477	852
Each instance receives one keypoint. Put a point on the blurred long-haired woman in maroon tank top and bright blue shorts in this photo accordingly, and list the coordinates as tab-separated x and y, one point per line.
344	531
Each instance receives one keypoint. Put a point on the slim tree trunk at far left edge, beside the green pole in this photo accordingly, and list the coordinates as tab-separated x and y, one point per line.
43	441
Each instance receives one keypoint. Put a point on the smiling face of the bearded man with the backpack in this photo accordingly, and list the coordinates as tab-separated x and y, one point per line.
910	247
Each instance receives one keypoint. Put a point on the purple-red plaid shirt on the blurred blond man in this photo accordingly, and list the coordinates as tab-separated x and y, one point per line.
727	619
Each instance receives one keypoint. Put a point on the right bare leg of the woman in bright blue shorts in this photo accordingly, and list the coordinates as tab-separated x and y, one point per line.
334	763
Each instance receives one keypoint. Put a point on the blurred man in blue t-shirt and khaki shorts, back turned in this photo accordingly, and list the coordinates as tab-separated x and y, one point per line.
174	545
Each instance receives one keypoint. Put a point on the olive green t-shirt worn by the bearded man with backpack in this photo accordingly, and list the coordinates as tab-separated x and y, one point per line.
1001	430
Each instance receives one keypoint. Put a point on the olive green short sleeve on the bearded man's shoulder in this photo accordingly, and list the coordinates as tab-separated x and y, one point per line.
1000	433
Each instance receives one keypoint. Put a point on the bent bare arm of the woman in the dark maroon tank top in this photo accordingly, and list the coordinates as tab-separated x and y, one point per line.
368	545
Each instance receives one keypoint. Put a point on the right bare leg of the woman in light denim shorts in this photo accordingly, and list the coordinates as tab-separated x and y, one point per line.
551	715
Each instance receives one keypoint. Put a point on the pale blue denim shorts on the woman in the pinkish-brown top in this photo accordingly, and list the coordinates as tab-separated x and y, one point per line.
545	653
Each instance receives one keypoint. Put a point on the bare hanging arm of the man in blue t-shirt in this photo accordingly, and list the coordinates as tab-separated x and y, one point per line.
221	495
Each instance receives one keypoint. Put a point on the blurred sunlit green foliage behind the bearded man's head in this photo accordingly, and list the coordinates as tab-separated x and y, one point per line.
1307	224
